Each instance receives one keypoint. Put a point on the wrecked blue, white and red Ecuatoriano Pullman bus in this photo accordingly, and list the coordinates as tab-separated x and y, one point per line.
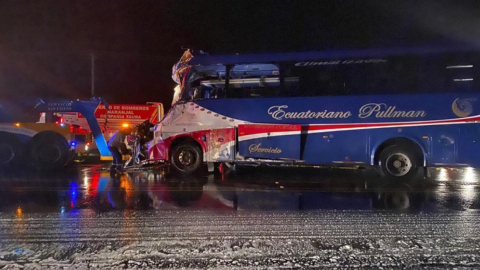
398	110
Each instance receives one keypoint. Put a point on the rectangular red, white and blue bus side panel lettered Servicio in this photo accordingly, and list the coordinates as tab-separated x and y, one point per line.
269	141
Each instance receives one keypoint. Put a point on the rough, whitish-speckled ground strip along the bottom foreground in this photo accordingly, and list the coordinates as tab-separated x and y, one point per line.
186	239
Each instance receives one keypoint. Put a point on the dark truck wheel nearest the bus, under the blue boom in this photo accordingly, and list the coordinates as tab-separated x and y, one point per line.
49	150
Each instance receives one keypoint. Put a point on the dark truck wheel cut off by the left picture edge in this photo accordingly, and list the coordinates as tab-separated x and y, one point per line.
10	149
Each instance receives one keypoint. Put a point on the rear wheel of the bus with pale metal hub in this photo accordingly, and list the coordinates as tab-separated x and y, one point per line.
398	162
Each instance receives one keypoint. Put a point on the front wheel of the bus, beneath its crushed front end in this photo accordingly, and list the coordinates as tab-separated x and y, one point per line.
186	158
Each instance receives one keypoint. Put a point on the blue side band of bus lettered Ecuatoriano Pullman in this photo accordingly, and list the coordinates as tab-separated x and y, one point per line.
347	109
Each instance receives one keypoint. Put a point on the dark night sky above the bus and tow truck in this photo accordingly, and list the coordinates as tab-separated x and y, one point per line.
46	46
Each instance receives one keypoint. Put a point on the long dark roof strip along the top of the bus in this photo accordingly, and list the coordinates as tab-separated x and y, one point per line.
209	60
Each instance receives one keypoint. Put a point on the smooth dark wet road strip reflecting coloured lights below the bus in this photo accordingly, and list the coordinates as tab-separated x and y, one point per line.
247	189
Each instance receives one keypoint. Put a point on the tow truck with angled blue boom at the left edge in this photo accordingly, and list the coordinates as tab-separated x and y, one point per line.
32	134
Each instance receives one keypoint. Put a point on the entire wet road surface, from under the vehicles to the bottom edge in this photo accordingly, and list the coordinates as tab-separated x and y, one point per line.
252	218
